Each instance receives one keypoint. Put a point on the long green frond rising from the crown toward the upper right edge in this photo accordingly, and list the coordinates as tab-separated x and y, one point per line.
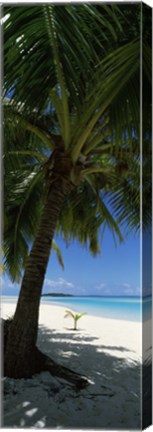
116	71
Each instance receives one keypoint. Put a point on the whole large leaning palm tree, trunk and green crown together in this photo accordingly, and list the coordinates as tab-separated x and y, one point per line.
88	154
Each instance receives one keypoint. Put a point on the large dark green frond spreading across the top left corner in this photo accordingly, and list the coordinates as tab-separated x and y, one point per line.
28	51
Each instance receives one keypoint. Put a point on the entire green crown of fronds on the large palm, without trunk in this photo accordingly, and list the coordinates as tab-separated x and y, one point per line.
76	93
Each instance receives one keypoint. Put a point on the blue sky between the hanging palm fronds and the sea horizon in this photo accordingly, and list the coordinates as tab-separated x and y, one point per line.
115	272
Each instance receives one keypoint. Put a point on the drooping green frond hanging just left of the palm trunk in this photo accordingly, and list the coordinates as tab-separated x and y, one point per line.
23	204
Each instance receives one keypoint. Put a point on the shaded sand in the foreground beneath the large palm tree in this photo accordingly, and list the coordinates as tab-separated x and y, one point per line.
111	400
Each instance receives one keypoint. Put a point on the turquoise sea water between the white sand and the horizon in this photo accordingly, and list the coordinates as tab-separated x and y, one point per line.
124	308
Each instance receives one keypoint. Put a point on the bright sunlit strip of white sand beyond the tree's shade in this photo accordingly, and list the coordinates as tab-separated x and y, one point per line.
121	332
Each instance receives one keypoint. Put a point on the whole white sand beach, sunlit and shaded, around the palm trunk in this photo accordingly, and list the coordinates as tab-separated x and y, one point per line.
106	351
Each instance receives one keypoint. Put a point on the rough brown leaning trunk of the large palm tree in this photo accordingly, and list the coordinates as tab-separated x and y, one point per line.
20	355
